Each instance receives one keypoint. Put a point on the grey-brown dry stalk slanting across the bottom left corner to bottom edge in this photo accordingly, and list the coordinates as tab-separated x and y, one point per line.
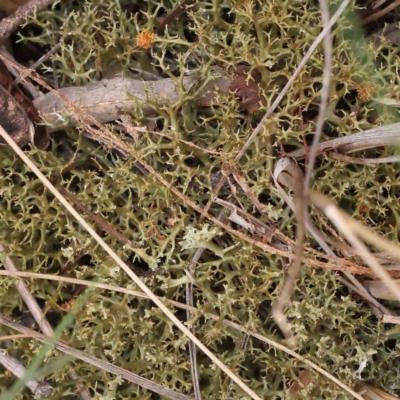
104	365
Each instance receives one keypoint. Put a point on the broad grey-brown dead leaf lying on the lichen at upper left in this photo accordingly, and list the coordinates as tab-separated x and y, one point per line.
107	99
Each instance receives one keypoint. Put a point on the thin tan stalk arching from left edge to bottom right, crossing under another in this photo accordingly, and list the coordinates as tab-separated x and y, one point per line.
183	306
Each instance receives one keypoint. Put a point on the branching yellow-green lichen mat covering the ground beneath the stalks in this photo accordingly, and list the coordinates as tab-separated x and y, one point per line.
239	282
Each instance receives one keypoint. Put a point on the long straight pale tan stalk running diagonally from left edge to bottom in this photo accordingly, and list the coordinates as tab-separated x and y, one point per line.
124	266
